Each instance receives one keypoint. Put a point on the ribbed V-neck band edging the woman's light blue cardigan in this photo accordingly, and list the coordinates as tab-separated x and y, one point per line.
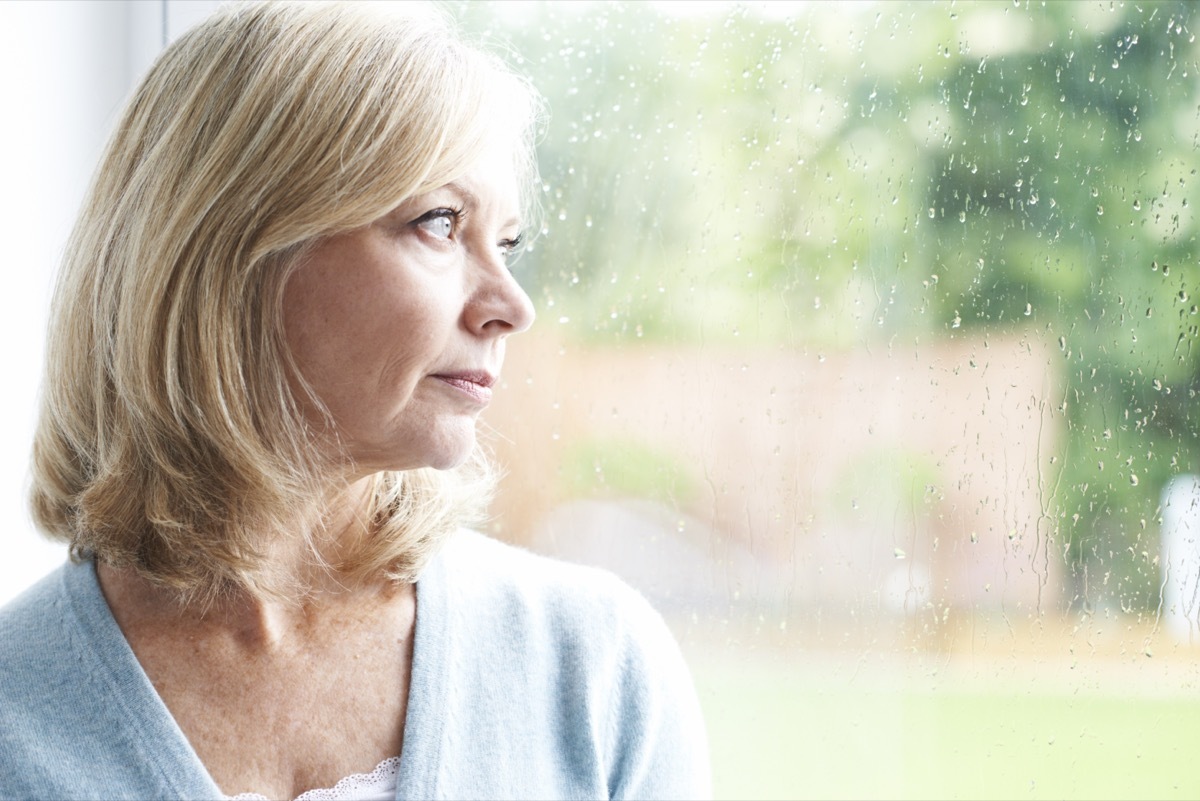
139	714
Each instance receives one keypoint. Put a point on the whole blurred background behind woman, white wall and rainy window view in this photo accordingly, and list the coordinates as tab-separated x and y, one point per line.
866	351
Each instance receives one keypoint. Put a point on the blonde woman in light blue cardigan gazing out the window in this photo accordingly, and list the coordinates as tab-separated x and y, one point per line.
283	309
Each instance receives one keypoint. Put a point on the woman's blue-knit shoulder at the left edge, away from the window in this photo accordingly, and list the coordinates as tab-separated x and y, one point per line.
71	688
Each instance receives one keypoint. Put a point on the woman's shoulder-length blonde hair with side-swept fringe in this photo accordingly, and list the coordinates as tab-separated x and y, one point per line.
170	439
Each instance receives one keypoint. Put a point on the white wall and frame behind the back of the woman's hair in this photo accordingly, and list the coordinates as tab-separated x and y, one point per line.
65	70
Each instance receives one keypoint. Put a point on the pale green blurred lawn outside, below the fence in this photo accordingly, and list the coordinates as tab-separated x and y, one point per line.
784	732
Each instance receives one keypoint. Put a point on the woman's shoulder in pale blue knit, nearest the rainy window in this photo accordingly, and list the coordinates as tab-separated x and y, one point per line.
573	670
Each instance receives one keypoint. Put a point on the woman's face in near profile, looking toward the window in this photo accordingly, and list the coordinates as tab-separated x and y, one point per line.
400	327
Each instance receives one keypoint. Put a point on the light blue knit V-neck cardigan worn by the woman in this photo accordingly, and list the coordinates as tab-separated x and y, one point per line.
531	679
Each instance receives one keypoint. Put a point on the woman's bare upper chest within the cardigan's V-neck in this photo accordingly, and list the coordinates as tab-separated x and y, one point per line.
284	724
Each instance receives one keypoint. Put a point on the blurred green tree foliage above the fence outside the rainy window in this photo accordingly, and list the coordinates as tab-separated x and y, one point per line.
851	174
